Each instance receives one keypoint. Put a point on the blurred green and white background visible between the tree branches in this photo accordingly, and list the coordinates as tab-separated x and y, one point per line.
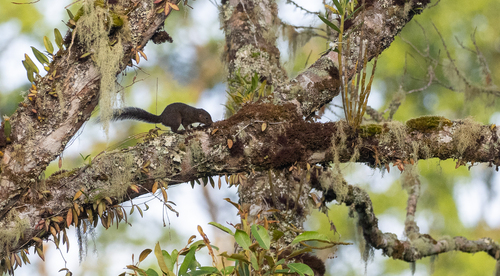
453	202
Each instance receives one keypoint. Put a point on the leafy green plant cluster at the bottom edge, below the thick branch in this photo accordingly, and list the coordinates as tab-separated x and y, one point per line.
258	253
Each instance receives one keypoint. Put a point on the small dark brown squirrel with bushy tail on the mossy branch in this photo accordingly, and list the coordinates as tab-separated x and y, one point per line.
173	116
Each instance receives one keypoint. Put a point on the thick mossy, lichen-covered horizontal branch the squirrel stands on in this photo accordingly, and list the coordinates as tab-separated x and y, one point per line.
261	137
